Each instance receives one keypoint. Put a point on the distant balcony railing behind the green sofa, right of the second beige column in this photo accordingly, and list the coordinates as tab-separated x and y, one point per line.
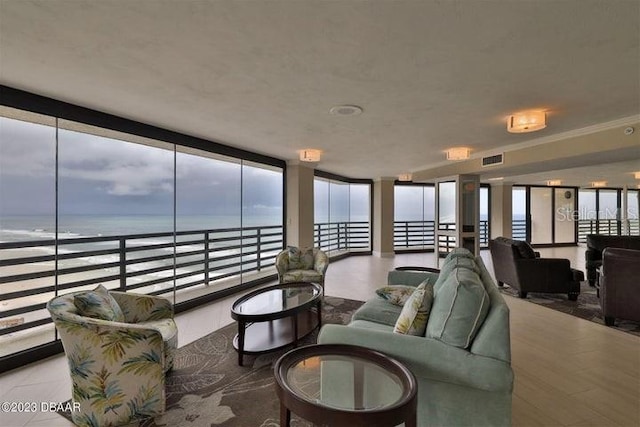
421	235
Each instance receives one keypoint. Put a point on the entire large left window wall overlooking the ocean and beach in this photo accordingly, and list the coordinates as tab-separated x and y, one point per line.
82	205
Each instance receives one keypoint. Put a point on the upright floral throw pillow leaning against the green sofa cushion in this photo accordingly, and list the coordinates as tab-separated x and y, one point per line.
415	312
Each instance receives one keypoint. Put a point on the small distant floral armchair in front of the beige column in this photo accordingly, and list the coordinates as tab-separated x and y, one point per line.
302	265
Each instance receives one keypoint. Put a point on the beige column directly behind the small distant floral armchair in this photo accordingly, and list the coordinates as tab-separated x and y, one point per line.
300	212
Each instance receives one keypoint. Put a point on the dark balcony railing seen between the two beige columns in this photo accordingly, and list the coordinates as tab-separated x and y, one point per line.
342	236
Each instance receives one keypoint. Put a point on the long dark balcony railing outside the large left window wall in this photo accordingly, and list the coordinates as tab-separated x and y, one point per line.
31	272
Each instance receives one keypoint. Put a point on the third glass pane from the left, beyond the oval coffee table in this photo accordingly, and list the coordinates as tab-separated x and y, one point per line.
207	223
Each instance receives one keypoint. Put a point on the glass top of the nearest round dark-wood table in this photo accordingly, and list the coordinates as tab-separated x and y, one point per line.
344	382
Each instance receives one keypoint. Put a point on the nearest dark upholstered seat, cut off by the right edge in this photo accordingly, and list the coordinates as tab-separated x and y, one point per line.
619	285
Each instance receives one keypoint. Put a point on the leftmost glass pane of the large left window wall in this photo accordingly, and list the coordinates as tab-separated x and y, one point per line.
27	213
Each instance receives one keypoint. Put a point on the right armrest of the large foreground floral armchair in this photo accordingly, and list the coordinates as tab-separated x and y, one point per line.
140	308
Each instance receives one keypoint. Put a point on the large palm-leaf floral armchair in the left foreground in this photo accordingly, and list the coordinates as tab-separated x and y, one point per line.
117	367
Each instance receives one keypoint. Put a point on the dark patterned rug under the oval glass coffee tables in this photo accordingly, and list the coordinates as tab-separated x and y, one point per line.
207	387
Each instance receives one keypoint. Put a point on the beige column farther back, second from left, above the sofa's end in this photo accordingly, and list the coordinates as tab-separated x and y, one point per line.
383	217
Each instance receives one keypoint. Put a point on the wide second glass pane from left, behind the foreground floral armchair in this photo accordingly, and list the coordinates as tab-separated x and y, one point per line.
119	194
